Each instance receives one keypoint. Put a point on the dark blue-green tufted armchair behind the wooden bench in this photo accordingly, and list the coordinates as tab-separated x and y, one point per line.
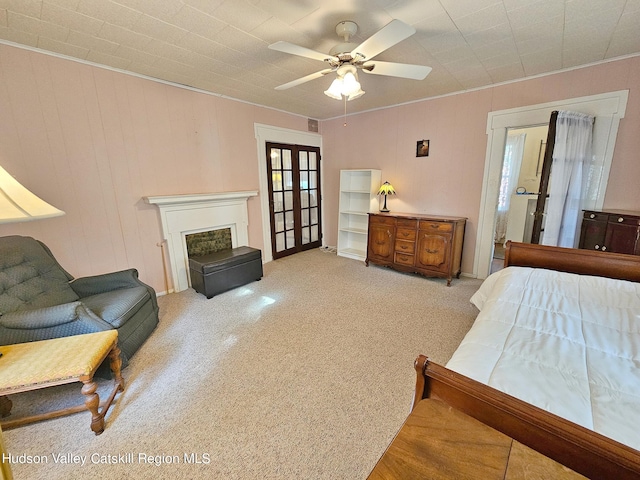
39	300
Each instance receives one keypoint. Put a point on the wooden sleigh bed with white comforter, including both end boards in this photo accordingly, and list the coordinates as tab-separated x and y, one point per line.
553	358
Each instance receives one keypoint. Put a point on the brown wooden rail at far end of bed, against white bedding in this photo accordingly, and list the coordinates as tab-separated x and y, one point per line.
573	260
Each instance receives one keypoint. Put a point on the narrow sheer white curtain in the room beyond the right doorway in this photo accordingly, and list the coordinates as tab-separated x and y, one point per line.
513	152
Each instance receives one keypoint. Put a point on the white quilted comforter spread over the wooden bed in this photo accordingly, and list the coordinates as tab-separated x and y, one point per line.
569	344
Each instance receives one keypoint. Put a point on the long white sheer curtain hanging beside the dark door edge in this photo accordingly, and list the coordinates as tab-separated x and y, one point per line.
569	169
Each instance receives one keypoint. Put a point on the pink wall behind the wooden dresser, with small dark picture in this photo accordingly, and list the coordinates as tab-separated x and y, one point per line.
449	180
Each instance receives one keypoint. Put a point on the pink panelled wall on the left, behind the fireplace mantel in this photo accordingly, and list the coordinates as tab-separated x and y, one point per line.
93	142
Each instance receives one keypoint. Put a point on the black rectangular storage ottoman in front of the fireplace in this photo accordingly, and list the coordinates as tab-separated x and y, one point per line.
221	271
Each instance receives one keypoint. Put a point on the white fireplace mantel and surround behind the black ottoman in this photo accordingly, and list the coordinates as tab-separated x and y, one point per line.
193	213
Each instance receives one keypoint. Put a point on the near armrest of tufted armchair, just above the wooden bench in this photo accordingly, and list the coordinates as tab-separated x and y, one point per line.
52	317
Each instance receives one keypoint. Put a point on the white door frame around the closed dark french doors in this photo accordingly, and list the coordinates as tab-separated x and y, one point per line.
269	133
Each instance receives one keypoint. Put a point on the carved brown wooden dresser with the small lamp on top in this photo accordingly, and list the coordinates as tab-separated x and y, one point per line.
427	244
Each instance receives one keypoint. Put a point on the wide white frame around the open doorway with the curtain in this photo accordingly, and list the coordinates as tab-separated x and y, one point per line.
608	108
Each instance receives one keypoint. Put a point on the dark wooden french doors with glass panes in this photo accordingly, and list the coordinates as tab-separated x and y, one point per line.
294	198
